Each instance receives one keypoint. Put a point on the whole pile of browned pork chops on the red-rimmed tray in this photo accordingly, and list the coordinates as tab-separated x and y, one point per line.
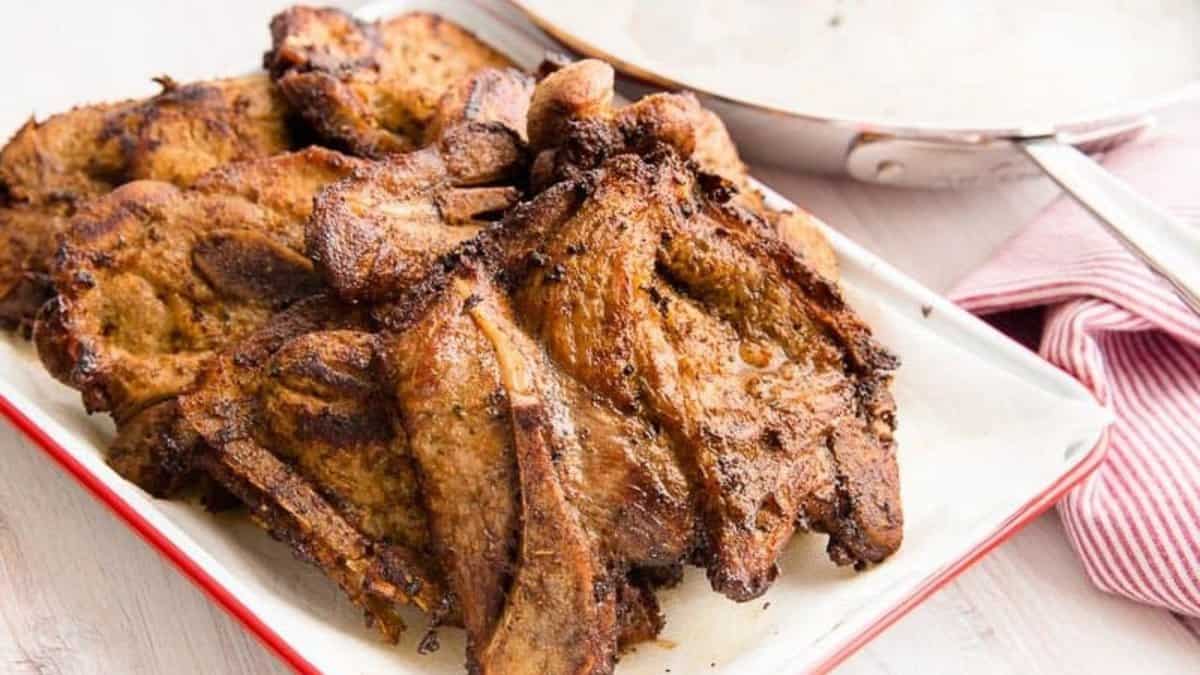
467	341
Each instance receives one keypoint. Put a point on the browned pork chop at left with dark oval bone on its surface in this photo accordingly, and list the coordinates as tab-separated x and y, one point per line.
154	280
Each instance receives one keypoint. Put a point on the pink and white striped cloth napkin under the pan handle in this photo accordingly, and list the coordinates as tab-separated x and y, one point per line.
1109	322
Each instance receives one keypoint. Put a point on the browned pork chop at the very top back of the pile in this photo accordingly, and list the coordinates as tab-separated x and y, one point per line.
373	88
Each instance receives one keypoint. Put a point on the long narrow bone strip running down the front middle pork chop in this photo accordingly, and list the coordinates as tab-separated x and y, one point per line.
561	611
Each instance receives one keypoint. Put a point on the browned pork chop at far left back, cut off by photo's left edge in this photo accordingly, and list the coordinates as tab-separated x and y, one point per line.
50	170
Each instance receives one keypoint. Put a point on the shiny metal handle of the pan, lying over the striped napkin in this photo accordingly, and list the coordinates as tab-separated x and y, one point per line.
1167	246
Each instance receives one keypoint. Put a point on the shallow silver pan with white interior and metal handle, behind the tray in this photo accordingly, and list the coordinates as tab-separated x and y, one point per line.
1094	85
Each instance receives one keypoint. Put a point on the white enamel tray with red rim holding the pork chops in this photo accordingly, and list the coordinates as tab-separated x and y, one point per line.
989	438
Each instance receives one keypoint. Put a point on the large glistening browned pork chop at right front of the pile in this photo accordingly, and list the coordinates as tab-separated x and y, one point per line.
650	285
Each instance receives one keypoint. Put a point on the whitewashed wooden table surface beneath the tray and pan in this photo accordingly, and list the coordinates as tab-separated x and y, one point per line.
82	594
